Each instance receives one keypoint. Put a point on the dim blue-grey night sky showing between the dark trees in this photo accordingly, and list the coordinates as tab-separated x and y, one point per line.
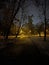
31	8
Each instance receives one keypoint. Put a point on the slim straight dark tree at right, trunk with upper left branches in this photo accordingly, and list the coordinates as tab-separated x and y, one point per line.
37	3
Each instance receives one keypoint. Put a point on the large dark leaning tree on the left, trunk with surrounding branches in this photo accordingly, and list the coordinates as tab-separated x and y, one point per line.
10	10
